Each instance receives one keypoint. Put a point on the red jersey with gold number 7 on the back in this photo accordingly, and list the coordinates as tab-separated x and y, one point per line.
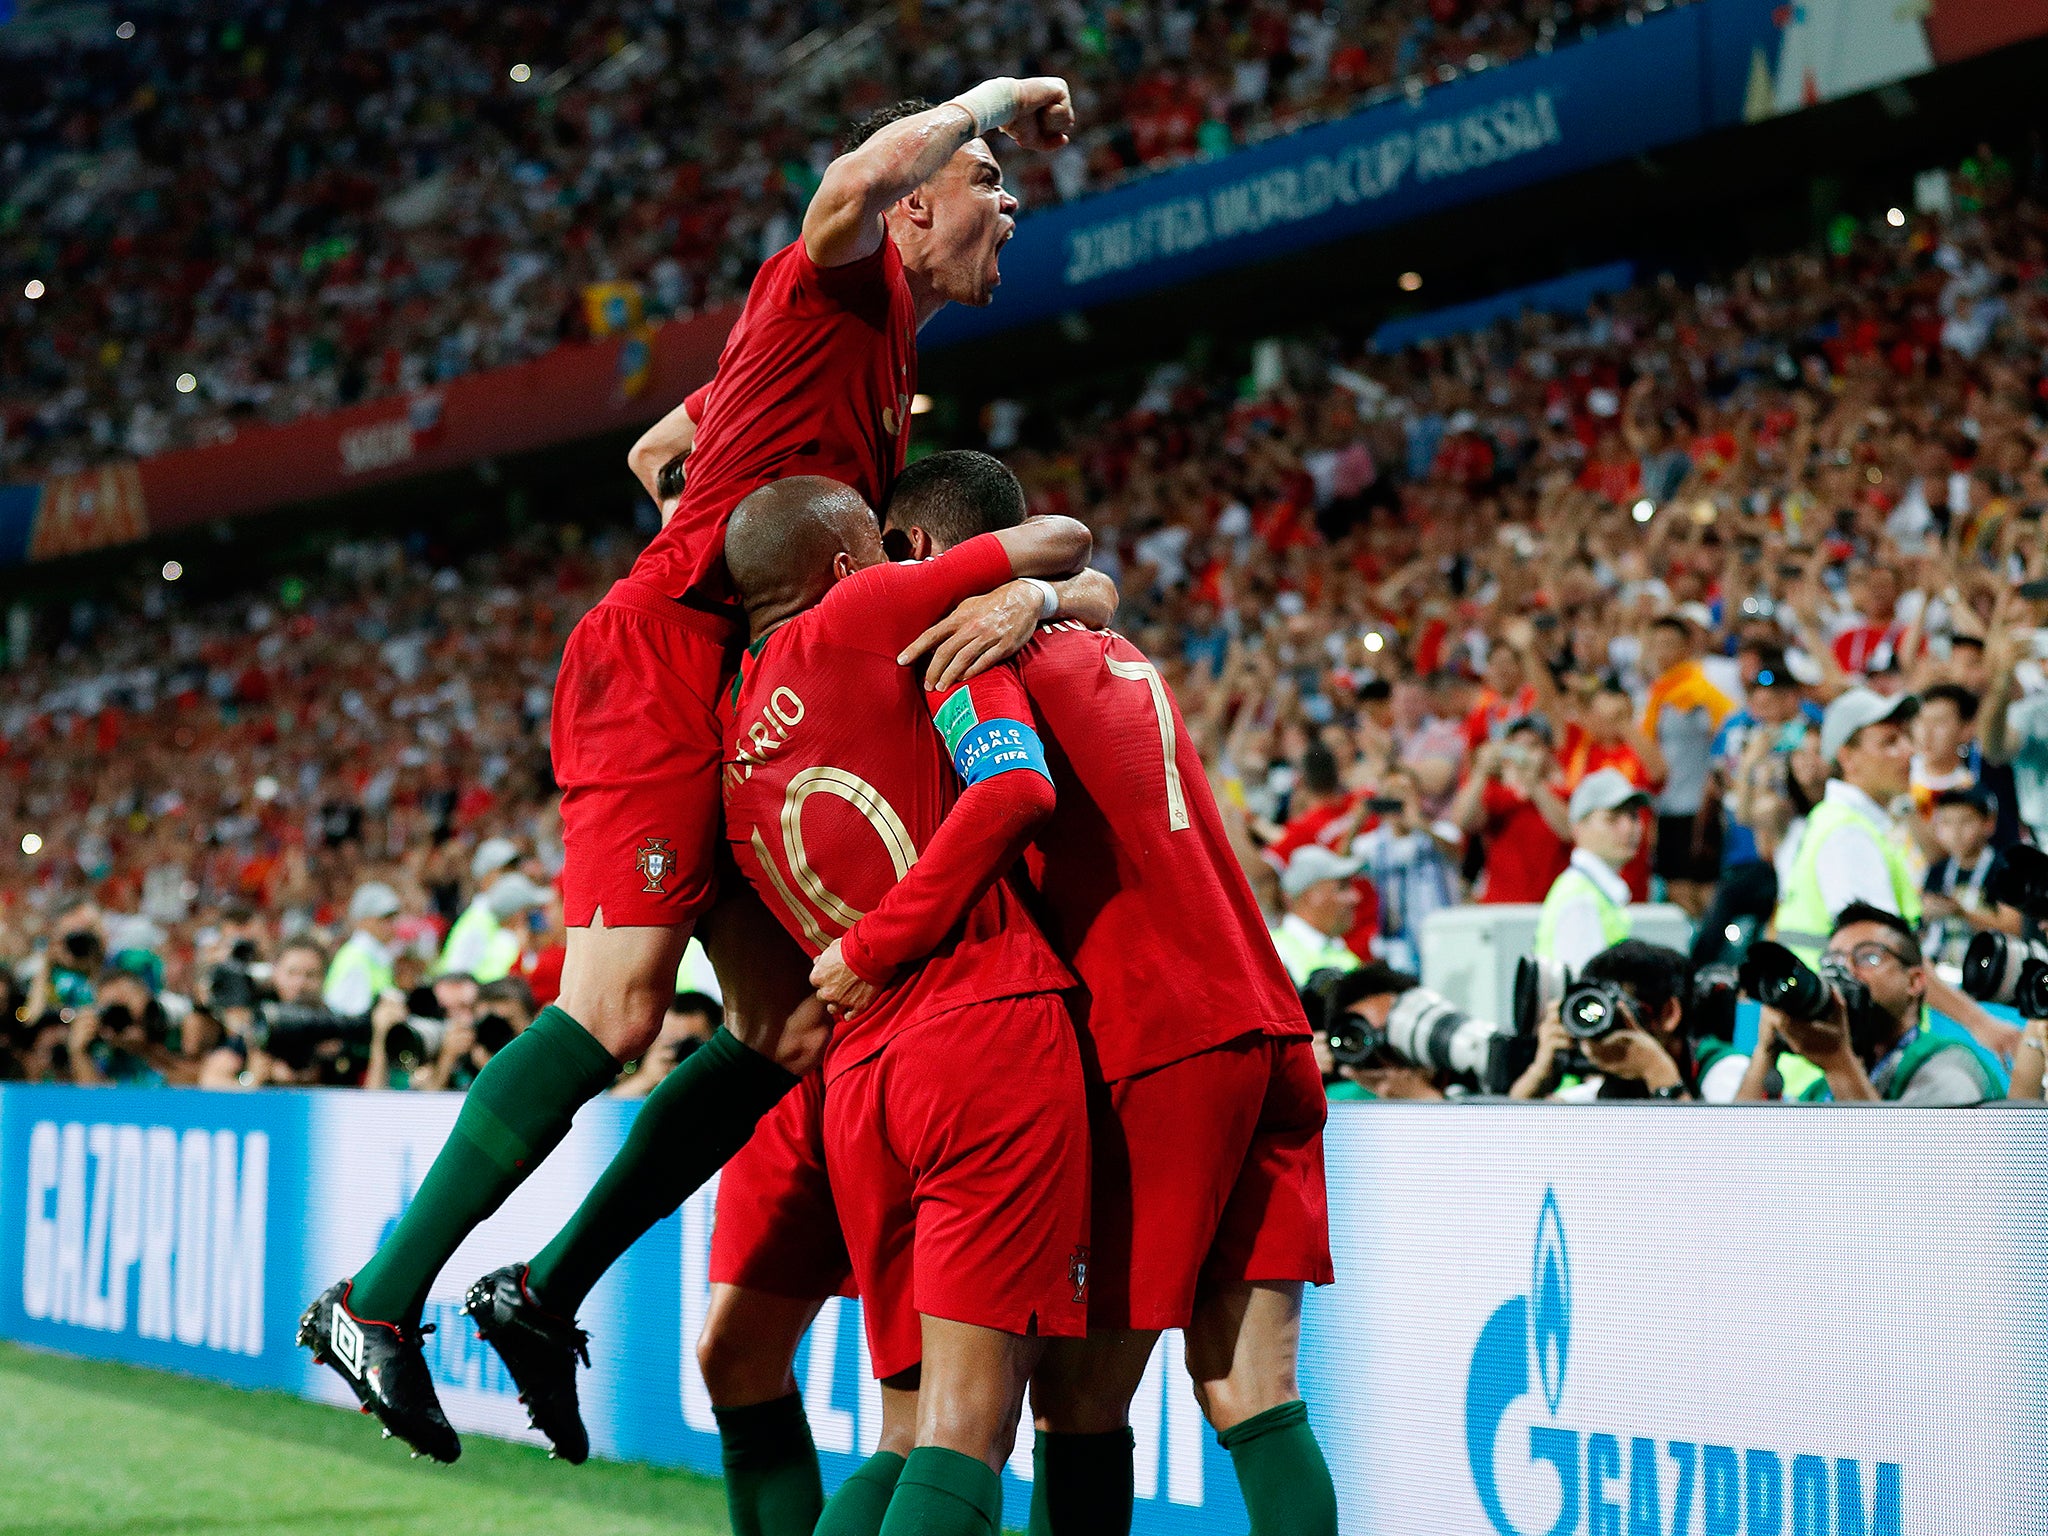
1142	890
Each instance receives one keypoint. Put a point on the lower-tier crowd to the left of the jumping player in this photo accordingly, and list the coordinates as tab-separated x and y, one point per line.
296	839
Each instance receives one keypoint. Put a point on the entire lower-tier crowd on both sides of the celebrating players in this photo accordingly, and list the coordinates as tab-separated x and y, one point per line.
1648	587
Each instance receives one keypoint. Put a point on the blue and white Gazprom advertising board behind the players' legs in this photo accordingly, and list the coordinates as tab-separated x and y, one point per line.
1549	1322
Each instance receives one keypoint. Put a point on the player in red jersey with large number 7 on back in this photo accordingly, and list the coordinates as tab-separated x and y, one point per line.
1205	1103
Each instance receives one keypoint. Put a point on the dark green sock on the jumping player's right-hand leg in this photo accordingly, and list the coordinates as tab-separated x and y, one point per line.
687	1129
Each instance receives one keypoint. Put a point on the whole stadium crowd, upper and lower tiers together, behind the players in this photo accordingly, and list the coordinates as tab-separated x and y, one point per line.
1637	591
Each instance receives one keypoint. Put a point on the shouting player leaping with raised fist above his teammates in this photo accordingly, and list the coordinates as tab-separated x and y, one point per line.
816	378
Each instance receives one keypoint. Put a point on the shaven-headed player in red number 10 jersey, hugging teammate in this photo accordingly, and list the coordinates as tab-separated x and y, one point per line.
955	1121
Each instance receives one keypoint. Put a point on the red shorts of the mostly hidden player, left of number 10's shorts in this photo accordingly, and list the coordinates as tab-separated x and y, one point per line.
777	1228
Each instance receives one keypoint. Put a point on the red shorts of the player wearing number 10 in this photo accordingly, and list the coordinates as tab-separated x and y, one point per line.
959	1164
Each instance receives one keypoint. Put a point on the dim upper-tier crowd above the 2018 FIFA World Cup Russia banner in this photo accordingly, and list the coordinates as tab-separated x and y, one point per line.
228	214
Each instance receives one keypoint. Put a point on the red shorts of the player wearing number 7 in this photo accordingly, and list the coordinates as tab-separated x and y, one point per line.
1207	1170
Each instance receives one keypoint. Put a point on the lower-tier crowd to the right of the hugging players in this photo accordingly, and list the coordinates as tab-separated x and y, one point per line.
1637	603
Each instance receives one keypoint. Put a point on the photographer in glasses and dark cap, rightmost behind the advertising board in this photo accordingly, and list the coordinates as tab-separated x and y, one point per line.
1871	1041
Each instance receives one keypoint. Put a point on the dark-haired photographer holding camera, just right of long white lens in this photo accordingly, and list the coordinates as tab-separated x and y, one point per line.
1648	1052
